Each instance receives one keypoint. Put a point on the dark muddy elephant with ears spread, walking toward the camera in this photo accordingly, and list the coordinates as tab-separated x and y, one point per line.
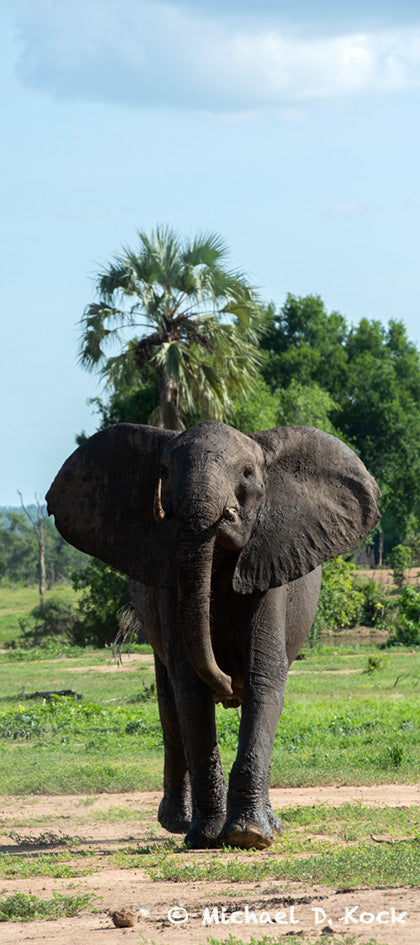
222	535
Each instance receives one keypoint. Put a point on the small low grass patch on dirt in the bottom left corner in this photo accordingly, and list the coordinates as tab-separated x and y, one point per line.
20	907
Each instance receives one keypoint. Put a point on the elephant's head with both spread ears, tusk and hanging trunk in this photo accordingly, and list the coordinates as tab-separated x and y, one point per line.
155	504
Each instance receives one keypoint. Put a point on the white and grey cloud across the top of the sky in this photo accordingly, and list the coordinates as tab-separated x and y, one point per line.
148	54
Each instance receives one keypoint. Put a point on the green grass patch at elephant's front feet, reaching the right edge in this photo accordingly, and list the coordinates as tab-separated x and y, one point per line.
350	845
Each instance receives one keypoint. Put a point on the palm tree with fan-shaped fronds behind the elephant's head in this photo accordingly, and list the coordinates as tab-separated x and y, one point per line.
198	324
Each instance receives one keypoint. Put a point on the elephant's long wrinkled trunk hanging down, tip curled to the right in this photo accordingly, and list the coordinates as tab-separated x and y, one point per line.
194	564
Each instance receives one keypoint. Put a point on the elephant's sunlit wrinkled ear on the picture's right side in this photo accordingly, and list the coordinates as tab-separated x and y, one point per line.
320	502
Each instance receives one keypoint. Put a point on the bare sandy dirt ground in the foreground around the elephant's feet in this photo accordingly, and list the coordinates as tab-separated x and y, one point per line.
246	907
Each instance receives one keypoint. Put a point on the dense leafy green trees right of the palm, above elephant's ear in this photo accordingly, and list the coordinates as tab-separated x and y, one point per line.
372	374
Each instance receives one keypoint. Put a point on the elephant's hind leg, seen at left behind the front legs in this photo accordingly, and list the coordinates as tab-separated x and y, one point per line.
175	809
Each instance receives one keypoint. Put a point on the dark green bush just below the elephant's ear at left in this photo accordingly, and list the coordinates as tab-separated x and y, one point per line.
104	593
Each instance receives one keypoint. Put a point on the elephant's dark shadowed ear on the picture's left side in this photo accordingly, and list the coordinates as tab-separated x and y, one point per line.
102	501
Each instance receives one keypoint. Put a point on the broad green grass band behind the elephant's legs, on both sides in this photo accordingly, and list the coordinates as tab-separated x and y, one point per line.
360	728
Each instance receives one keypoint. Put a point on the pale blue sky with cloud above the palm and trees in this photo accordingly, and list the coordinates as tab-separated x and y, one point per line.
291	129
